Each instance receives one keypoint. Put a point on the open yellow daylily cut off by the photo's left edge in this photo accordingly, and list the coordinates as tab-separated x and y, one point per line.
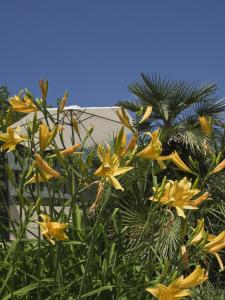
11	139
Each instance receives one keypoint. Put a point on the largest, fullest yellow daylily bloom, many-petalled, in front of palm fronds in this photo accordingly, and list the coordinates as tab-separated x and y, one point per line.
179	194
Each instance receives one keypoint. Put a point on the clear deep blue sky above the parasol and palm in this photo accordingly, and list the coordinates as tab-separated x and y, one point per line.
95	48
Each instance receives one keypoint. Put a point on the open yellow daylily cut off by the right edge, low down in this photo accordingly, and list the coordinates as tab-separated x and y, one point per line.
216	243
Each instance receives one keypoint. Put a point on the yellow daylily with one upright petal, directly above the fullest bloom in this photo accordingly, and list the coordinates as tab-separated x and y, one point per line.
154	149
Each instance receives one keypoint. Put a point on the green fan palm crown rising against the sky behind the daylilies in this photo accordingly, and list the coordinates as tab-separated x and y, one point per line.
177	106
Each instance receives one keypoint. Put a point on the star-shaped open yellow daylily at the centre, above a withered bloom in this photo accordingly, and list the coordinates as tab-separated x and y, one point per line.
110	167
